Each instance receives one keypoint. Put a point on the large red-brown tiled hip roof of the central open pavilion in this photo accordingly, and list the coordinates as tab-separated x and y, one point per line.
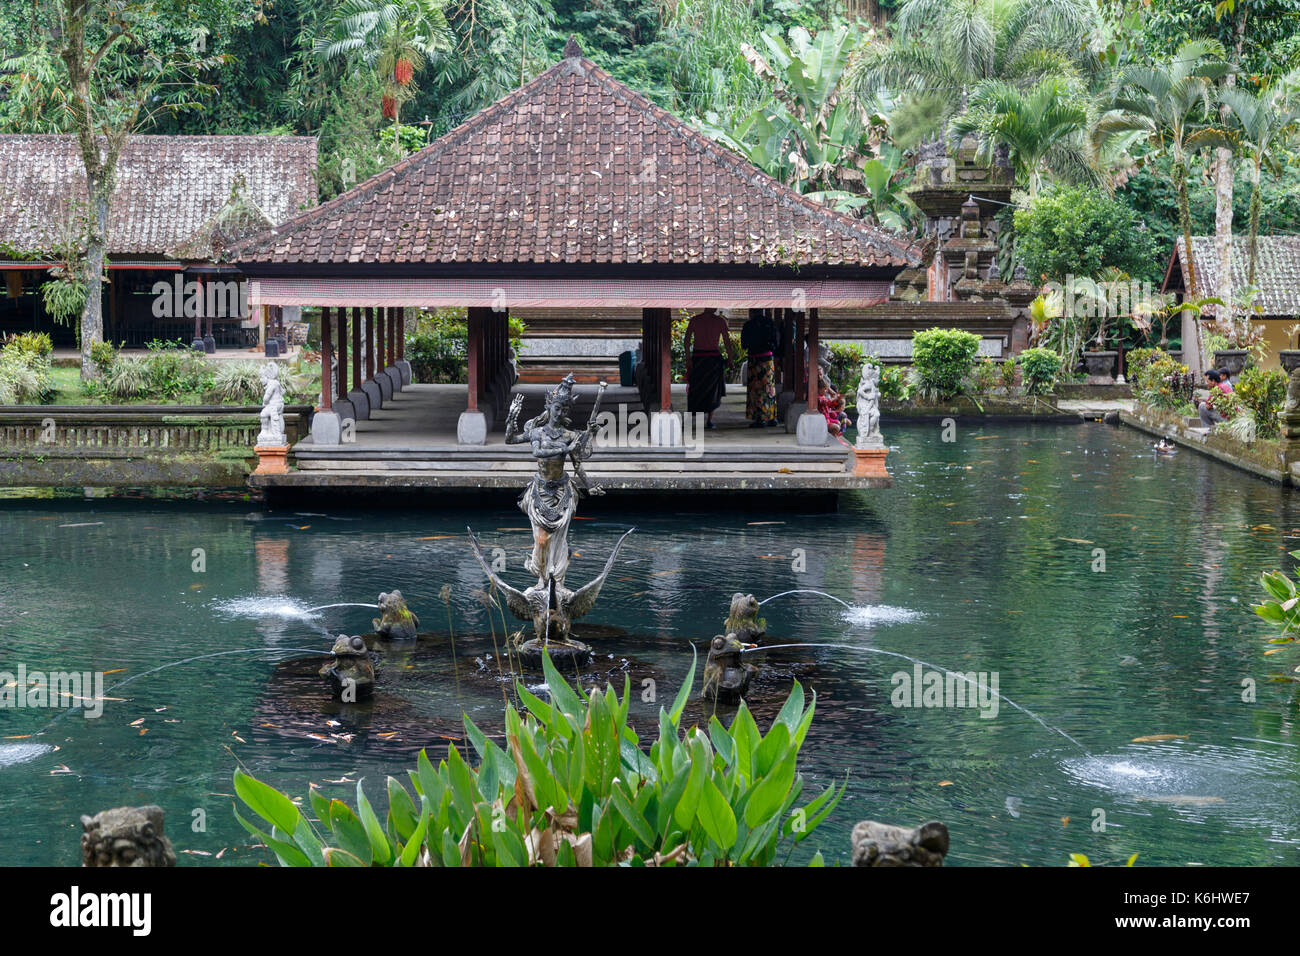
575	170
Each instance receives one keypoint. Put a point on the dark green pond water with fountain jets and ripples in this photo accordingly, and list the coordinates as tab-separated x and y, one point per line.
981	560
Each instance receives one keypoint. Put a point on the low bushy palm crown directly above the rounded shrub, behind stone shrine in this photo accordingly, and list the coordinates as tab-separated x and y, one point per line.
1042	128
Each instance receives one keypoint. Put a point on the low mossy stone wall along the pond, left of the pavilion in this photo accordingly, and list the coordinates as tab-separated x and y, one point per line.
129	447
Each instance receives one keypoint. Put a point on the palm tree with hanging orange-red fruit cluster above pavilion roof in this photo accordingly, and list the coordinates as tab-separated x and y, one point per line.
392	37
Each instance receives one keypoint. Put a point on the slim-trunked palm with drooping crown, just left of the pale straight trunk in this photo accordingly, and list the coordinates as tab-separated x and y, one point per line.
1171	105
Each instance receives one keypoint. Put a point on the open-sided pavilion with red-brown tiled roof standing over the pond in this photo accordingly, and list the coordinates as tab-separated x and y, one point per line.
578	196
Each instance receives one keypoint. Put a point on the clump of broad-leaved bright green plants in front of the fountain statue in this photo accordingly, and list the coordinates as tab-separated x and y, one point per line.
571	788
